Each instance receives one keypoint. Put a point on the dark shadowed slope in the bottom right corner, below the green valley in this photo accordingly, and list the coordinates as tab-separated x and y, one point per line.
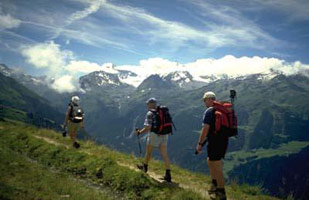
289	175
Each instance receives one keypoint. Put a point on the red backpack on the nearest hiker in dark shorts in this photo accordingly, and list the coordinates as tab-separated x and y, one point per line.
225	119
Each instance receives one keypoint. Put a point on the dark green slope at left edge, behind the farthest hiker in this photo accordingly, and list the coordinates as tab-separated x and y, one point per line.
38	111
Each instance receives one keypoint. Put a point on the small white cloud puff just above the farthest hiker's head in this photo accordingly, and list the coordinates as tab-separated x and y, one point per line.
66	83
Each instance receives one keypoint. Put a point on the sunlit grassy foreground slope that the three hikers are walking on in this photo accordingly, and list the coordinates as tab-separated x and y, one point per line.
41	164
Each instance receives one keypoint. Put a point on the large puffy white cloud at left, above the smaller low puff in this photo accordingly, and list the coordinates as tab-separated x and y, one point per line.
47	55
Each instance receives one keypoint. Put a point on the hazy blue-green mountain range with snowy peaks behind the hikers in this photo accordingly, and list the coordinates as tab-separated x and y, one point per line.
272	110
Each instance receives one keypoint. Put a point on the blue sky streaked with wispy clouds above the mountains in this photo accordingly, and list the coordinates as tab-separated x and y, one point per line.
126	32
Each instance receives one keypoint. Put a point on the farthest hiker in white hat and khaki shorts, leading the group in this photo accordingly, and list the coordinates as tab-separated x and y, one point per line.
74	120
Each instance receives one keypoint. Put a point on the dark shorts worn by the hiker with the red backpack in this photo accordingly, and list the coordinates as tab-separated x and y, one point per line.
217	146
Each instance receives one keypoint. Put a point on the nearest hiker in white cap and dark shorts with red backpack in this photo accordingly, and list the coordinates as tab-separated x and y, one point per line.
219	123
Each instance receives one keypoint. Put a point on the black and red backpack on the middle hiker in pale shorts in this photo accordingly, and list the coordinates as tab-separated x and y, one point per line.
162	123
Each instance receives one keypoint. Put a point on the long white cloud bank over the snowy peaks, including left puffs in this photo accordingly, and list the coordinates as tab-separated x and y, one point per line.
66	68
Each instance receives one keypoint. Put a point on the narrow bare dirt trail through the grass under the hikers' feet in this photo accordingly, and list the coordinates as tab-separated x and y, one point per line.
188	185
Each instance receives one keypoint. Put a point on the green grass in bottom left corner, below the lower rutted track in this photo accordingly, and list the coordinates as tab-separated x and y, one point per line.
22	178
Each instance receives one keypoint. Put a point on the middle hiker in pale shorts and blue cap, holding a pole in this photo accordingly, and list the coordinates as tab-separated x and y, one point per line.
158	125
